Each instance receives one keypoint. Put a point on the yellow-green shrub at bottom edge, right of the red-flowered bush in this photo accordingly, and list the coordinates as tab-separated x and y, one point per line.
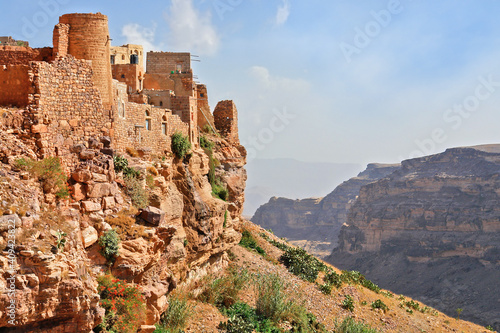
176	317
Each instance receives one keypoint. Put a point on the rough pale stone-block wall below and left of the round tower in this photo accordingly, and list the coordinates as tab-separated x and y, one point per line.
67	108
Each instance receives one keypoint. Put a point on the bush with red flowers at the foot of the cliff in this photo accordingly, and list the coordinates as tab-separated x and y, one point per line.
124	305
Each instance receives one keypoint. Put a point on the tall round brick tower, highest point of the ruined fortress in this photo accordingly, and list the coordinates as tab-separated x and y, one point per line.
88	38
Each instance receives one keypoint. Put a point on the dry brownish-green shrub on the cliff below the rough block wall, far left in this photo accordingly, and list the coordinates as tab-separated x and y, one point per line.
49	172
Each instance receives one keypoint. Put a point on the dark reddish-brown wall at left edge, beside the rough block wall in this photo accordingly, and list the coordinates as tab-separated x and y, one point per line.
14	85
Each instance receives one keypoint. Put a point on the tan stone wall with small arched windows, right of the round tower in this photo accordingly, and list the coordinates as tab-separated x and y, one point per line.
130	129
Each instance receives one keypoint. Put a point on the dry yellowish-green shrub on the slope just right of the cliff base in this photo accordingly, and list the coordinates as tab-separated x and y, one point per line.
223	292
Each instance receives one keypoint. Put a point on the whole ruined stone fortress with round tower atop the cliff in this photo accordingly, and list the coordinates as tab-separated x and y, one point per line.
73	95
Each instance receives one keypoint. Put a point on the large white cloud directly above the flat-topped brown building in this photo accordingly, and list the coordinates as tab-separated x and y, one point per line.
191	30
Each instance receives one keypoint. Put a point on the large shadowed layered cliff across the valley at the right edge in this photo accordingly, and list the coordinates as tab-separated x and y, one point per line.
432	230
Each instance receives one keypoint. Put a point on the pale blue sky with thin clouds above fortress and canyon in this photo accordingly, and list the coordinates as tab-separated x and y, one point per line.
333	81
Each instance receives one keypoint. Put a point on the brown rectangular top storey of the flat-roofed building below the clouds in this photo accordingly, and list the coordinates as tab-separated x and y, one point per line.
166	62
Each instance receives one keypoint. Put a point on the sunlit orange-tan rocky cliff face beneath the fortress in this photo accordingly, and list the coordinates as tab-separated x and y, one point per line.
183	235
